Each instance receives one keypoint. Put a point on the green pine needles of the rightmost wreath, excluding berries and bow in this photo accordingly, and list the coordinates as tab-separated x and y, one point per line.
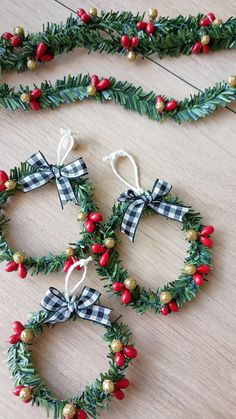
182	289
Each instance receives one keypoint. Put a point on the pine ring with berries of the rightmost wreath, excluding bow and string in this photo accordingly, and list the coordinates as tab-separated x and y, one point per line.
118	282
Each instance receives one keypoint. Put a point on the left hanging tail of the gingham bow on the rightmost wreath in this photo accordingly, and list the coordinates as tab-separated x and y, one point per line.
131	218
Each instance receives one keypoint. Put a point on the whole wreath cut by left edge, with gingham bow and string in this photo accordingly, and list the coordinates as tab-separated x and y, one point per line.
71	187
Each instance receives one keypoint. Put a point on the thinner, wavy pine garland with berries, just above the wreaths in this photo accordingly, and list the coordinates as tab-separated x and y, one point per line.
156	107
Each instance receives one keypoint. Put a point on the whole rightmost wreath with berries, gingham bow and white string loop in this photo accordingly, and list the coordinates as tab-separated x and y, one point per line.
126	215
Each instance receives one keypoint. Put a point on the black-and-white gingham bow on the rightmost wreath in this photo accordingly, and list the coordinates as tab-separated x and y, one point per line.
154	200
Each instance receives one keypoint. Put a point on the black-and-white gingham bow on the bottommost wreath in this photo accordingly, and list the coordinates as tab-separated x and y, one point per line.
60	308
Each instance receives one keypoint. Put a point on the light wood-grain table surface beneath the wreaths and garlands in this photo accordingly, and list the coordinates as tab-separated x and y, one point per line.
186	363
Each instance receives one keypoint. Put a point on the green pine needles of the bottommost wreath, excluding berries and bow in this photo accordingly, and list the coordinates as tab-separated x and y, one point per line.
92	398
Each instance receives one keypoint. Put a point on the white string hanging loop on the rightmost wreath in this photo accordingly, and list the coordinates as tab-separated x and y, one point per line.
113	158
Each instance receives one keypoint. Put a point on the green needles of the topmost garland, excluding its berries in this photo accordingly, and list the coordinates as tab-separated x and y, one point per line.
172	37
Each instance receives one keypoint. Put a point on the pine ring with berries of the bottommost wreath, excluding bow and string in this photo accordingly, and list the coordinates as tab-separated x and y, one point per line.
30	388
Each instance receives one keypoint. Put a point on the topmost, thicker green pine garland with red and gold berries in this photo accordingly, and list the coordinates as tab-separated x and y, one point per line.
117	32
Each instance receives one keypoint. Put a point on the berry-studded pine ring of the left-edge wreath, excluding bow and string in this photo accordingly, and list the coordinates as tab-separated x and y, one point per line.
17	260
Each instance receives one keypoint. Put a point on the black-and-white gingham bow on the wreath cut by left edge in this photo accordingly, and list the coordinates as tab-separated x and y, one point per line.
45	172
